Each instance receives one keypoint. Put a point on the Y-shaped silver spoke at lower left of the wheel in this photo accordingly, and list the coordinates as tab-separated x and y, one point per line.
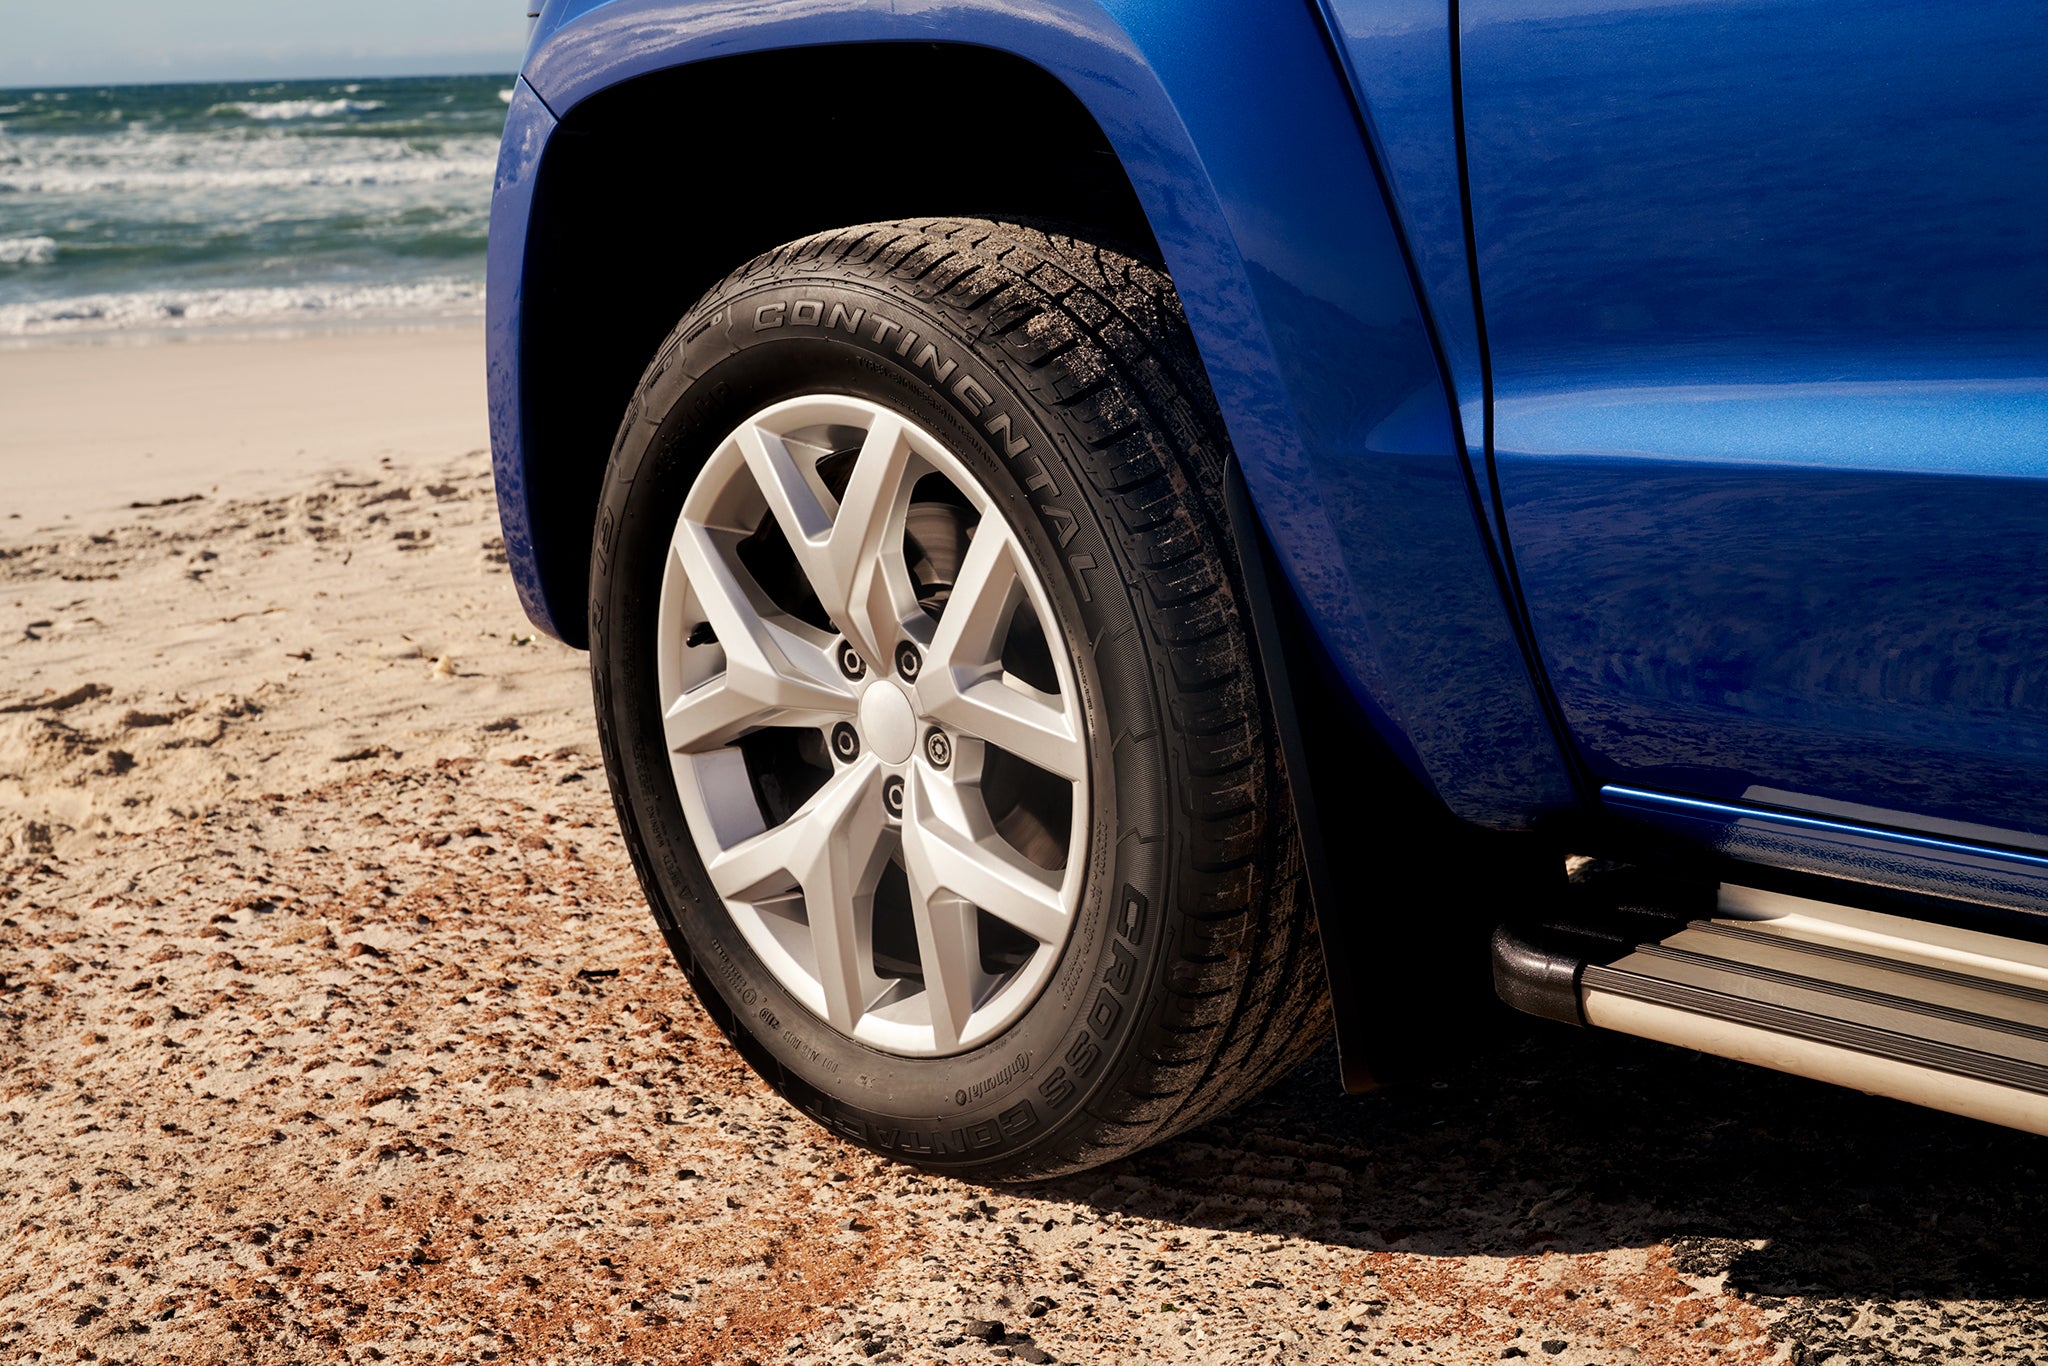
833	851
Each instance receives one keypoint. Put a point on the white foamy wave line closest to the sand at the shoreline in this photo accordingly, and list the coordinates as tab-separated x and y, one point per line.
181	308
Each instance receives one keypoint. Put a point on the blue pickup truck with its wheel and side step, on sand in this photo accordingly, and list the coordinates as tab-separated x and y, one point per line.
1121	538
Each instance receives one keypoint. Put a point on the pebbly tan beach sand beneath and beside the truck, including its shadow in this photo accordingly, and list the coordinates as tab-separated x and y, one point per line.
333	1027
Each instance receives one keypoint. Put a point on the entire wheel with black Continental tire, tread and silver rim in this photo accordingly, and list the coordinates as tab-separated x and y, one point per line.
1068	431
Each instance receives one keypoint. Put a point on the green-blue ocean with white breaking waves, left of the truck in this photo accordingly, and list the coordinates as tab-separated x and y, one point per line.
257	204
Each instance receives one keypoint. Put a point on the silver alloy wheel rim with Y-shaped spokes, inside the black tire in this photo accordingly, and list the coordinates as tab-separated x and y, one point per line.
873	724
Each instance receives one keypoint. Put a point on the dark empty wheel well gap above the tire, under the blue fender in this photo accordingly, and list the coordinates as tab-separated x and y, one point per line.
656	189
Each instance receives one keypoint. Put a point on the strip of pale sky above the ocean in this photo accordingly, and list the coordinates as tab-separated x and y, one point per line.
122	42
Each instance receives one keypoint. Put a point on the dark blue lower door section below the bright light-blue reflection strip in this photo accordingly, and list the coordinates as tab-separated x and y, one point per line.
1867	638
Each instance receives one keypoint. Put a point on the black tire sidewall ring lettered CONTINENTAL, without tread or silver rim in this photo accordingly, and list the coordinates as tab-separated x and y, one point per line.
738	353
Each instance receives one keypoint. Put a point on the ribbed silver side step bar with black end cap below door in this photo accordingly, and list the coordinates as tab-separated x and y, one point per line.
1932	1015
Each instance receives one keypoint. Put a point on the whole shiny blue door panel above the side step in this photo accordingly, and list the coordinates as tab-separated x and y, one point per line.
1766	298
